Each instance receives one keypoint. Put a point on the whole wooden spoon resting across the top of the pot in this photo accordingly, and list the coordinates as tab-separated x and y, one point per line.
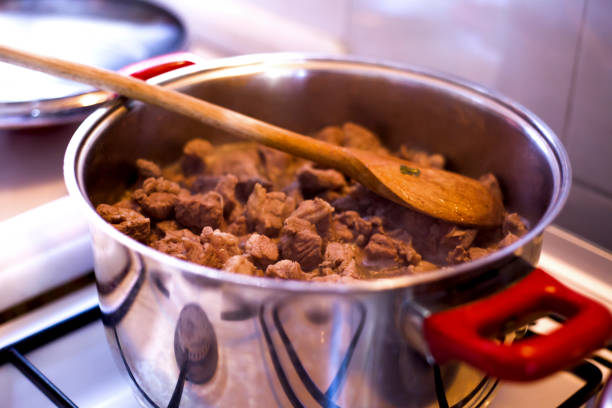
437	193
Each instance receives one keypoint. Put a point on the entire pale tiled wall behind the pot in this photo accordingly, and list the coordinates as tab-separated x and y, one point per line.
552	56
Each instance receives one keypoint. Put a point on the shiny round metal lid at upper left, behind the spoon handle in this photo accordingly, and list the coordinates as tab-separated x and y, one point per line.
103	33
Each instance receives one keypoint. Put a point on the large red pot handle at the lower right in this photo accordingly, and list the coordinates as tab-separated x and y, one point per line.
465	332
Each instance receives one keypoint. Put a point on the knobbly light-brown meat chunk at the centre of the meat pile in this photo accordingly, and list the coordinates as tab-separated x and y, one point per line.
265	212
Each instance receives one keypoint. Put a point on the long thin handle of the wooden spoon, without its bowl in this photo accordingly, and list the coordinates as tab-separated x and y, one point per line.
206	112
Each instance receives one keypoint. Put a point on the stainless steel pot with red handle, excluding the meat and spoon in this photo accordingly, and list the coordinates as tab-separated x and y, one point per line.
199	336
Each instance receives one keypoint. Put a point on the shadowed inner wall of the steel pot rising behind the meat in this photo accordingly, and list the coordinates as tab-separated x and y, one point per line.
477	132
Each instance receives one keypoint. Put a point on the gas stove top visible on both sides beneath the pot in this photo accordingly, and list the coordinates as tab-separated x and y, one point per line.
54	351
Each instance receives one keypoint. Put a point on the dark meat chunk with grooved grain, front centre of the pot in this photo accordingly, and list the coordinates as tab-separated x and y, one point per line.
300	242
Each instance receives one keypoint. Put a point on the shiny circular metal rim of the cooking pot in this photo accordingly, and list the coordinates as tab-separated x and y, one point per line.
558	159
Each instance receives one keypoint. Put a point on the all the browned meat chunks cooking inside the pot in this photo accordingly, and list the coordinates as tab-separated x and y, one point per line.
252	210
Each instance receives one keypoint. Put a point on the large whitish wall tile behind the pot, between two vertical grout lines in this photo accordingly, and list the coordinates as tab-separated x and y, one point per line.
522	48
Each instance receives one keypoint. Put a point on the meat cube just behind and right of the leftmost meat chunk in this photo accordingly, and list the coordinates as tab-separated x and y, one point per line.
157	197
